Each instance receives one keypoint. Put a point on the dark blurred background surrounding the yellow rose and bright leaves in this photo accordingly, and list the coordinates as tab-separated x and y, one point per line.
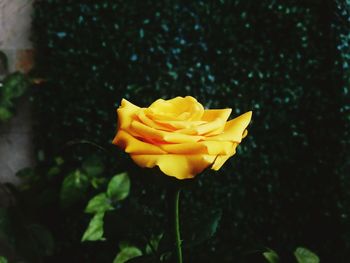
66	65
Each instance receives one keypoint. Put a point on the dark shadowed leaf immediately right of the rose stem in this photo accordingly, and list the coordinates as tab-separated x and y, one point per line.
202	229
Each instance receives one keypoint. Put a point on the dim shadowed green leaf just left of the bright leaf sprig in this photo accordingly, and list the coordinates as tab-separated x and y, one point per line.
73	188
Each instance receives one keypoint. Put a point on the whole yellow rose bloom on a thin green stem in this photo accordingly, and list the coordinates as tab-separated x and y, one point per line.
179	135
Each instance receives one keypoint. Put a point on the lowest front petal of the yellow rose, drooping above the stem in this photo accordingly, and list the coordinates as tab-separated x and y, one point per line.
179	166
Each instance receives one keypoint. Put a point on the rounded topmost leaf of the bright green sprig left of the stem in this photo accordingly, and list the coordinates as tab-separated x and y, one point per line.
119	187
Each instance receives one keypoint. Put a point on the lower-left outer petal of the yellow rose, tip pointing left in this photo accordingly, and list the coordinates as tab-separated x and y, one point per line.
133	145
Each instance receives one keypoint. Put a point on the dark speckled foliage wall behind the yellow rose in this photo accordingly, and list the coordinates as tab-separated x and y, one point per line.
285	60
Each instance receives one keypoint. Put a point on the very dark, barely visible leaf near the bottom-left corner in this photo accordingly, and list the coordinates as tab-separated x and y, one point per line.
43	239
